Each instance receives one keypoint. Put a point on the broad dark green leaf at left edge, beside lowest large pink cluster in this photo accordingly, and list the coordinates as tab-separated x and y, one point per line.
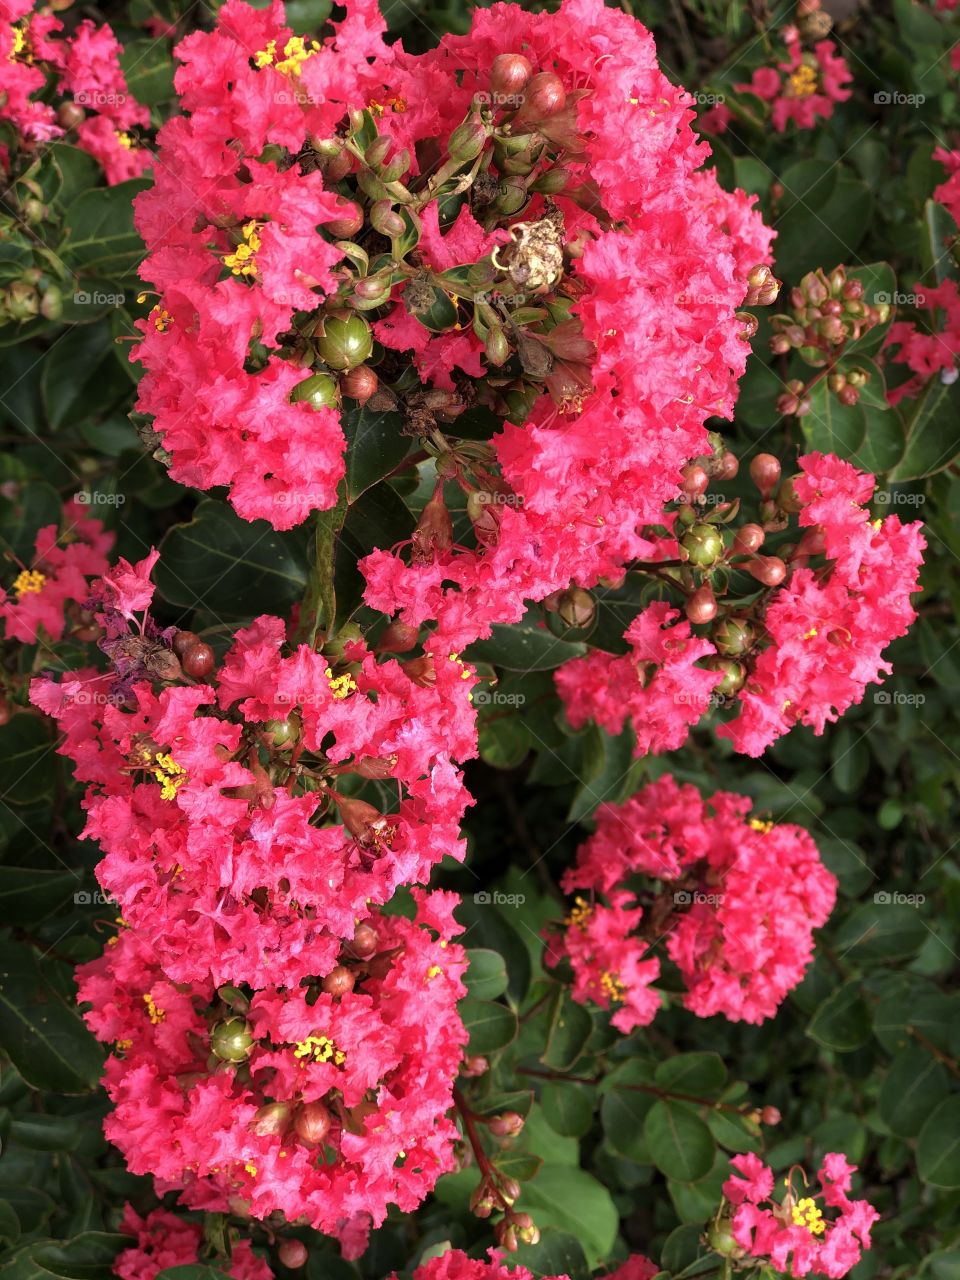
43	1035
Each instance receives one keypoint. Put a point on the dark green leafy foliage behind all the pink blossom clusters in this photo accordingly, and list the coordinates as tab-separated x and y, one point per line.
863	1057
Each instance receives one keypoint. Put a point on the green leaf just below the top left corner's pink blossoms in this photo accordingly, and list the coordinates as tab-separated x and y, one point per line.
100	236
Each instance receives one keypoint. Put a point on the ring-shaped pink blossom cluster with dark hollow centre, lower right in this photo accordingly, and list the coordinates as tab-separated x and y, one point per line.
734	899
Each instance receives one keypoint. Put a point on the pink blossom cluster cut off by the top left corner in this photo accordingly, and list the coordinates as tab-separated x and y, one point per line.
97	111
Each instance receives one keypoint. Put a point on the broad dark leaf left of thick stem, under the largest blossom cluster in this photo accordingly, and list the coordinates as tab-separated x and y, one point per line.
230	566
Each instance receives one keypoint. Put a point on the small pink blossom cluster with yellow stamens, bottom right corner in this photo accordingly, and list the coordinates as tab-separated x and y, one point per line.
794	1236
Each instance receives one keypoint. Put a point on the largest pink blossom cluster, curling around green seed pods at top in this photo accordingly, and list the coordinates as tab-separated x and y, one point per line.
481	209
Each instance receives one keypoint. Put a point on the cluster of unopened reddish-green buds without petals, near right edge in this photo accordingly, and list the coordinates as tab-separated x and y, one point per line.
828	314
